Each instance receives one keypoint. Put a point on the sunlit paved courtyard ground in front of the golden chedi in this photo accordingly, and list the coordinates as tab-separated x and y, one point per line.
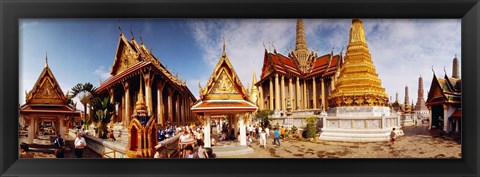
418	142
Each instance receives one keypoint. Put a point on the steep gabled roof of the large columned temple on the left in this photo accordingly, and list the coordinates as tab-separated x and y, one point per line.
131	58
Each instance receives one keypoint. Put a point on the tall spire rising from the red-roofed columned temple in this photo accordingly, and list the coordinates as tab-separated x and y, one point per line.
301	49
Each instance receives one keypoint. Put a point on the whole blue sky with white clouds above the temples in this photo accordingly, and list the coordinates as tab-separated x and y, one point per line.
82	50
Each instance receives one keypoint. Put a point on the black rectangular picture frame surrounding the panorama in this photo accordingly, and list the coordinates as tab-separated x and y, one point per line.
11	11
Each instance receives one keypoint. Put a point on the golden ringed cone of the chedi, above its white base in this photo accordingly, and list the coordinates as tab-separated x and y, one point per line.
358	83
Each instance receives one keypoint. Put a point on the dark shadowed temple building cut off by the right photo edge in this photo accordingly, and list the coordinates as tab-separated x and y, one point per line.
445	101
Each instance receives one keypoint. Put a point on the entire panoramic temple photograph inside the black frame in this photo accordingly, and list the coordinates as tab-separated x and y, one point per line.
240	88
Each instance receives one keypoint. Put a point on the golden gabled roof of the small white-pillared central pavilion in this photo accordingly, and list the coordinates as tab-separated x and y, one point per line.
224	92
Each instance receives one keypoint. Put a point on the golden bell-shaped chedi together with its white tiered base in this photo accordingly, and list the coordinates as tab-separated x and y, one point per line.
359	104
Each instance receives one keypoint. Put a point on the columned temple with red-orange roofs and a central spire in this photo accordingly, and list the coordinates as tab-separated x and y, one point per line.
301	77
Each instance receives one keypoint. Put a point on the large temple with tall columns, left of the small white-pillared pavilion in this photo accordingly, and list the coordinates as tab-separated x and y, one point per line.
167	98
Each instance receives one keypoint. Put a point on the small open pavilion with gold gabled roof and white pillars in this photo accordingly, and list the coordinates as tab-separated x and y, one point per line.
224	96
